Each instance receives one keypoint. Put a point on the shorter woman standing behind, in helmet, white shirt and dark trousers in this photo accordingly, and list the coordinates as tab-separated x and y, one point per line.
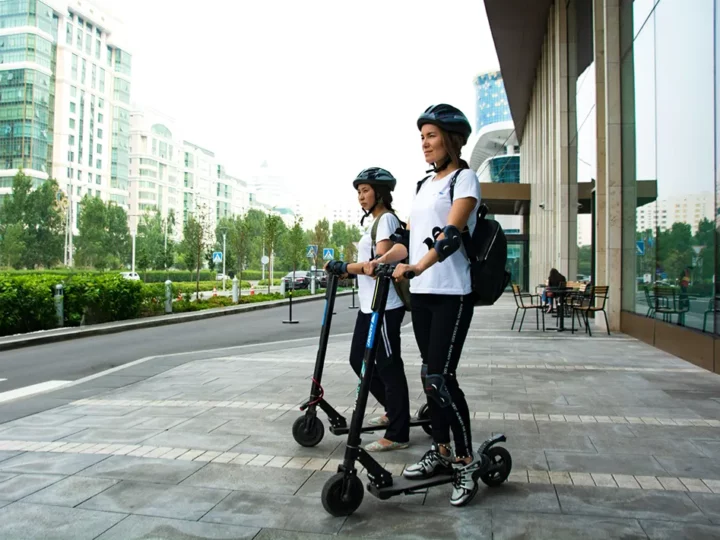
389	385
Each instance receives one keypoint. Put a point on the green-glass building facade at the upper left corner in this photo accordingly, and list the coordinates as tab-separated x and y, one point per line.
27	94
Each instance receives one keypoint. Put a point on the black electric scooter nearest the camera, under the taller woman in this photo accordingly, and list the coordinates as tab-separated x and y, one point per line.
343	492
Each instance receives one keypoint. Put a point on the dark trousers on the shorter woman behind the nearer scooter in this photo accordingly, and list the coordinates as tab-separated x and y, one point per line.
388	384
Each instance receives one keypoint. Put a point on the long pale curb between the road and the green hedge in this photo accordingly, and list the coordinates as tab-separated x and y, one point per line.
58	335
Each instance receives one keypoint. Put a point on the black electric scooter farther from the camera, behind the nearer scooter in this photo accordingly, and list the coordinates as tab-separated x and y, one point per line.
308	430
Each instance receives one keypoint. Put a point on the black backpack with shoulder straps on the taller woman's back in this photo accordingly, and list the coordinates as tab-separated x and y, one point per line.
486	249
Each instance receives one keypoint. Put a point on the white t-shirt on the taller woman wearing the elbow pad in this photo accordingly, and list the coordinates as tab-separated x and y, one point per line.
431	209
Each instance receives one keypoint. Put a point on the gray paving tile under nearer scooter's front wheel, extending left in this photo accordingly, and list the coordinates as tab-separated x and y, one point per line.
301	514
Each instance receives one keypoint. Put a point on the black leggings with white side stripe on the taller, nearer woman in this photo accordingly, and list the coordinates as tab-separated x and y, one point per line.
441	324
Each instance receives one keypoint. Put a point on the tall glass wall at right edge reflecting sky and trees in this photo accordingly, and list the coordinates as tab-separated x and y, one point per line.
669	116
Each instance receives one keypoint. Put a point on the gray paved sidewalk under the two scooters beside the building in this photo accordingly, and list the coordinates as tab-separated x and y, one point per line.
610	438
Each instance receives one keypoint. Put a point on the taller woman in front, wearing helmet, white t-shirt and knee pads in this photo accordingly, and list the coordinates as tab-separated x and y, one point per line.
442	308
